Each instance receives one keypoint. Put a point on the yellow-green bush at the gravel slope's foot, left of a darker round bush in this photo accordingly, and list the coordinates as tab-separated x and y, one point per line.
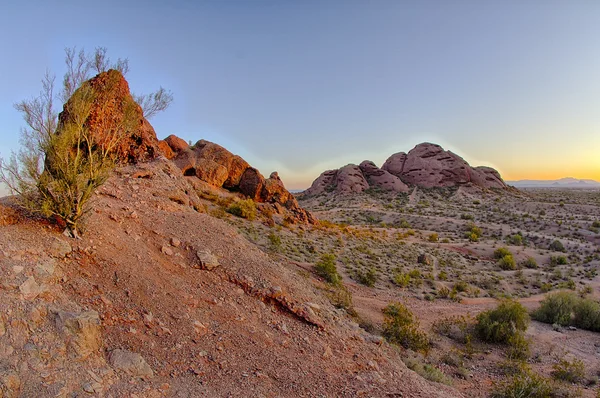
400	327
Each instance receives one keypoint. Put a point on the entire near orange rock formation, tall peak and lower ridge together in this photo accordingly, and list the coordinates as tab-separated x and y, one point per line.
205	160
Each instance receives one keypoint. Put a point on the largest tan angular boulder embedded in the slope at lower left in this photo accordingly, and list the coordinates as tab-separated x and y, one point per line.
82	331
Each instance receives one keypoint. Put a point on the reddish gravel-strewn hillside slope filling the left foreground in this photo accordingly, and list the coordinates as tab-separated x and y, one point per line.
159	299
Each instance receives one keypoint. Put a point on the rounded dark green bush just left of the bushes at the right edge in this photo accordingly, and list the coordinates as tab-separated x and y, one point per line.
502	323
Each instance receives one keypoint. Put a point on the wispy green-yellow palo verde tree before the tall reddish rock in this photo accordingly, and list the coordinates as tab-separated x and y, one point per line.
59	166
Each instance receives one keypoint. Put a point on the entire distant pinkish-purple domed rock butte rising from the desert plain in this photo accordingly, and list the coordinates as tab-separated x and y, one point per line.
426	166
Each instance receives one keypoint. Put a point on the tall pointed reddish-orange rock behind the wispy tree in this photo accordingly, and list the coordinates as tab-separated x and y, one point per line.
113	113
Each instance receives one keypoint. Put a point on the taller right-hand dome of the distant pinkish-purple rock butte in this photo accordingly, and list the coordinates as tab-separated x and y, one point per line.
429	165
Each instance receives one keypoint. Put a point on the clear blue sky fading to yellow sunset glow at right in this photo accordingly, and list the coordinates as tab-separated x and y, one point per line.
304	86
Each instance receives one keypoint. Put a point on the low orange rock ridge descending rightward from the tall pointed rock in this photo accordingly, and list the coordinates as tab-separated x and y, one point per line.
218	167
